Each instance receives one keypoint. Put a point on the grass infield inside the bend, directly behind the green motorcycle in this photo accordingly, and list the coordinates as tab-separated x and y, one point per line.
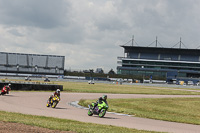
183	110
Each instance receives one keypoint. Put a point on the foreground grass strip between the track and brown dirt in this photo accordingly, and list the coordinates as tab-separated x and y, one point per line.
64	124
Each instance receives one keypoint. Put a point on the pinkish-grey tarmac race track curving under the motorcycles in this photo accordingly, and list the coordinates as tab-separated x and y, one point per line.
34	103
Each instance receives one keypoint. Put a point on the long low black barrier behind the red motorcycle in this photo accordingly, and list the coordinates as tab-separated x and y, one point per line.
32	86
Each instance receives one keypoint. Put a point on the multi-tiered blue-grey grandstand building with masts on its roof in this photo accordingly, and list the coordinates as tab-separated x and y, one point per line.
159	62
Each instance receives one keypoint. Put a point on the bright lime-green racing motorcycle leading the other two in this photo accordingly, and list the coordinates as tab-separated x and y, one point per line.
99	110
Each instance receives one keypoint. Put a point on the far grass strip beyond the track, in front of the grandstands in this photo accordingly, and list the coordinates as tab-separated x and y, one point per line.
120	89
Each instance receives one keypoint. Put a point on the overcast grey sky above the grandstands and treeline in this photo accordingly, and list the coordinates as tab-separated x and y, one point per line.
89	32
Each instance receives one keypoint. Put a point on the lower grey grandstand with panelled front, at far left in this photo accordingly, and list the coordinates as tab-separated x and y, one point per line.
31	64
